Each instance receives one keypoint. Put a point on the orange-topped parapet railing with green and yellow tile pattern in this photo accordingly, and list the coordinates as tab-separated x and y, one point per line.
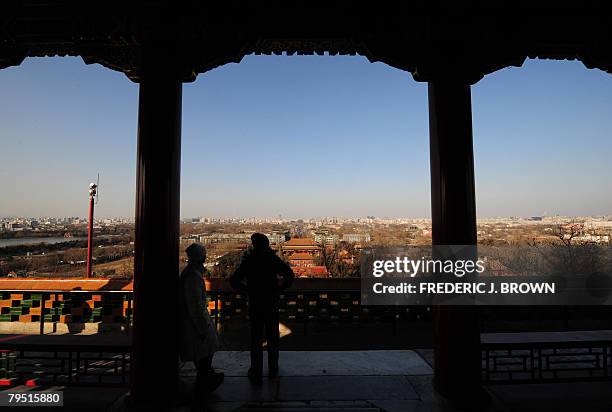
105	301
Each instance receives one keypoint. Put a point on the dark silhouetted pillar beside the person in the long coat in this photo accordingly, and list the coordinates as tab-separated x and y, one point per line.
156	255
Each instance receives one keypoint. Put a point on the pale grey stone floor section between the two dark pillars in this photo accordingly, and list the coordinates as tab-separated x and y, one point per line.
323	380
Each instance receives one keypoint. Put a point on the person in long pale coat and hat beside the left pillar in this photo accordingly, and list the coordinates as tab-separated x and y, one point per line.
198	339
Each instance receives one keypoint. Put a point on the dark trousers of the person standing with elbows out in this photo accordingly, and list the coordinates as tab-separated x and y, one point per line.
264	320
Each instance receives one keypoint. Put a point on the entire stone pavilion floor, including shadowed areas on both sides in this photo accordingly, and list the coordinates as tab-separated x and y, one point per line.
349	381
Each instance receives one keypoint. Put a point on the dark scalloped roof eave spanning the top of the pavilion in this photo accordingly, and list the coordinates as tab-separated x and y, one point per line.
468	42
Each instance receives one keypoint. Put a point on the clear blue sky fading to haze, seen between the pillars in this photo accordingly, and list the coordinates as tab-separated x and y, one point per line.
305	136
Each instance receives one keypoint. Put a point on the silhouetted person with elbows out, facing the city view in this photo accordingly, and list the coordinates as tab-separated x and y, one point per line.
262	275
